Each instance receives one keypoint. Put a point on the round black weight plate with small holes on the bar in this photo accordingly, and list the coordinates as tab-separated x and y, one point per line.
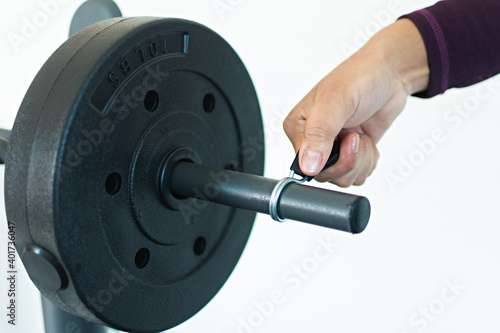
82	173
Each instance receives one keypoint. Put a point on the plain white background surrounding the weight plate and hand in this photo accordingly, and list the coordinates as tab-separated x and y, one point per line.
438	227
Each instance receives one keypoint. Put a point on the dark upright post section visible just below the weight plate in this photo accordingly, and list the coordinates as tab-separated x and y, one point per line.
57	320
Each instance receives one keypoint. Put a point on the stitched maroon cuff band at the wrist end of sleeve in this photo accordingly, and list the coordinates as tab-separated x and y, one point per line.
437	52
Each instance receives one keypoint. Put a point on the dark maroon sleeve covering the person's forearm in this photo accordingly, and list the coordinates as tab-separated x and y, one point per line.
462	38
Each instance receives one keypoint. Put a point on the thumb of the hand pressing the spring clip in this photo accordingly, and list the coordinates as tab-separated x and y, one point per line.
322	125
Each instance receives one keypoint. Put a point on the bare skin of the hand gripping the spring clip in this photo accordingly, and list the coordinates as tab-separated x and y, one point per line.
357	102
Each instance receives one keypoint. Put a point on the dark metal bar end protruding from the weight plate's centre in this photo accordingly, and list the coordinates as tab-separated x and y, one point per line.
308	204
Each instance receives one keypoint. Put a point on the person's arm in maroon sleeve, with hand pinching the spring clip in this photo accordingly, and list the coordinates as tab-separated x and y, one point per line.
451	44
